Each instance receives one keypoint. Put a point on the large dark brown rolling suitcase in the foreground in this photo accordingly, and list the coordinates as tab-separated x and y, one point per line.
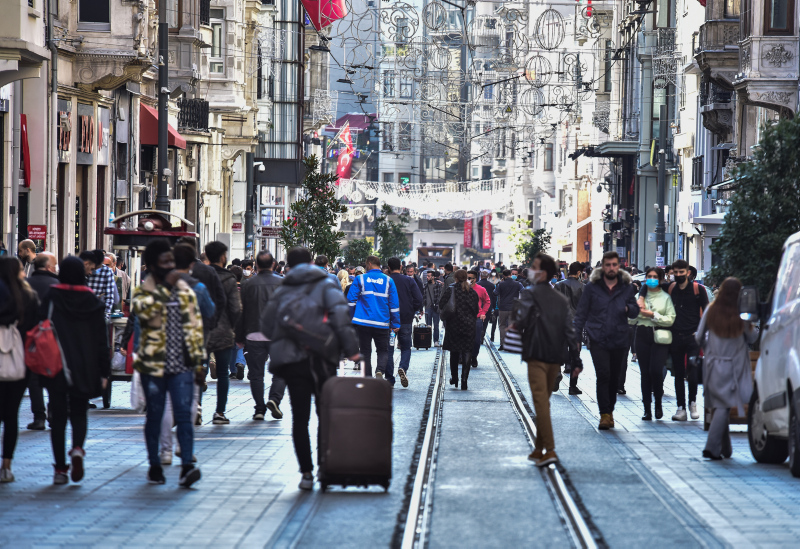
355	432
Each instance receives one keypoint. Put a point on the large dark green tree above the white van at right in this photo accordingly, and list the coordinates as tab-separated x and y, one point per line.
764	209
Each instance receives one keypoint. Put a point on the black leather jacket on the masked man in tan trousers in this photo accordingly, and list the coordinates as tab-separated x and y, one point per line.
547	337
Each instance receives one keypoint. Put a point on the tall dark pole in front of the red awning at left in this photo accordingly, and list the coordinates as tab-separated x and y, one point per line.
162	186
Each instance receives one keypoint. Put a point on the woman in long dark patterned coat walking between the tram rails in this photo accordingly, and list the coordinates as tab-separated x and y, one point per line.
459	335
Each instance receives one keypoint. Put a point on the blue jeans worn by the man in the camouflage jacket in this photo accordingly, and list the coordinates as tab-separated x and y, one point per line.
181	389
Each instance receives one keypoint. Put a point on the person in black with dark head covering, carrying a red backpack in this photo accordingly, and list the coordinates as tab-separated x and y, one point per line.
78	318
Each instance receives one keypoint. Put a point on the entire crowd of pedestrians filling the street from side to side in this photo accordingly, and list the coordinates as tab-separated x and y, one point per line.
196	315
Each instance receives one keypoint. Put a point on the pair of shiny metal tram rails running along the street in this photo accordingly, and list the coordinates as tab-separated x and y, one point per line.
417	520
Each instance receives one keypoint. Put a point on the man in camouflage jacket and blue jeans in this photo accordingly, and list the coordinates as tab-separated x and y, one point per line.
170	355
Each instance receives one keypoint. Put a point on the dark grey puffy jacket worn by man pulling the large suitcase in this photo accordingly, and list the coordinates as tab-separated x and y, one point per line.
328	294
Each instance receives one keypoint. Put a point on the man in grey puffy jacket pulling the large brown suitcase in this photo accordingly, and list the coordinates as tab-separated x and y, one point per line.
305	371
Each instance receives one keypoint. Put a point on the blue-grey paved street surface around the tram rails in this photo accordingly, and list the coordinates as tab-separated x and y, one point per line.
641	485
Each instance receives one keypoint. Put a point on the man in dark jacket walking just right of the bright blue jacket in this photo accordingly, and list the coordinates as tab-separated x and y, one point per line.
410	299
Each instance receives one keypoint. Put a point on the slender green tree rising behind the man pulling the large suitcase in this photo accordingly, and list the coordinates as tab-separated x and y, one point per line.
312	218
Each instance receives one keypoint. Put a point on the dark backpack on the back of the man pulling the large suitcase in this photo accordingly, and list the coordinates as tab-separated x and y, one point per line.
306	323
